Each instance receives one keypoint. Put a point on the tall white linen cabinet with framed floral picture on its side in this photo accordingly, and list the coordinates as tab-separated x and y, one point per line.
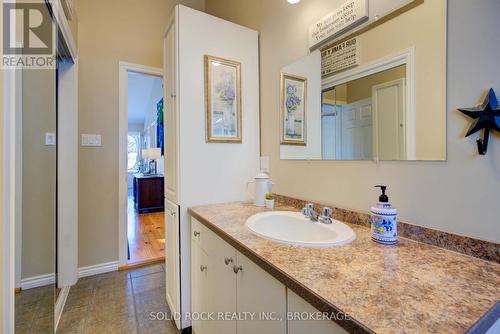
197	172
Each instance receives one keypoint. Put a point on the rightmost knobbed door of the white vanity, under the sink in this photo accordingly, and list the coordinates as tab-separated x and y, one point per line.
259	293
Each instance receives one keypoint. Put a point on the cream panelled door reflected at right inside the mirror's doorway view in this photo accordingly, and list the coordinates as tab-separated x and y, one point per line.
389	123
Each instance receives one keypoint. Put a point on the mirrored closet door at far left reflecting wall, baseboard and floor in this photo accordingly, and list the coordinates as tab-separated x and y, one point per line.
36	203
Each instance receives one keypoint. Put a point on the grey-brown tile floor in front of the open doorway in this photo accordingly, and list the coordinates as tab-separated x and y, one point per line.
117	302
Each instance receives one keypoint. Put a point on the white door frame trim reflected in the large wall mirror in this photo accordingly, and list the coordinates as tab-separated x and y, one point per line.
404	57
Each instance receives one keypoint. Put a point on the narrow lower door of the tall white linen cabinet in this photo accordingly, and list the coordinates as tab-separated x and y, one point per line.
172	257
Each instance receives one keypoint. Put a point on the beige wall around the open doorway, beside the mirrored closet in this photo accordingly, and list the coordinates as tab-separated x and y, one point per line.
108	32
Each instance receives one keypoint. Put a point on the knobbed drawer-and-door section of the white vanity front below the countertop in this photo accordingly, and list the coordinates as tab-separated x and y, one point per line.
227	284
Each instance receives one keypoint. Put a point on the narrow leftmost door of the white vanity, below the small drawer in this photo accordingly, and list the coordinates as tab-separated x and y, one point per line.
199	287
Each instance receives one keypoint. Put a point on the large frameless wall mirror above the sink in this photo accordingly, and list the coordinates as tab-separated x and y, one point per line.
375	92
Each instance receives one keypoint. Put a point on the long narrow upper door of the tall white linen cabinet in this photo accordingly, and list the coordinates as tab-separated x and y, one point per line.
170	112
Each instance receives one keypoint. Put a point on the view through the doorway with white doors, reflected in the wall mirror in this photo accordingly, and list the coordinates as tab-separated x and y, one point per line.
364	119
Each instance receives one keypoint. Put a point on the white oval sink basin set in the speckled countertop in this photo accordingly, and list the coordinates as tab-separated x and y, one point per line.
294	229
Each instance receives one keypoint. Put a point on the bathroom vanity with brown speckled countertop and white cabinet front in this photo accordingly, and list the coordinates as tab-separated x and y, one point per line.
365	287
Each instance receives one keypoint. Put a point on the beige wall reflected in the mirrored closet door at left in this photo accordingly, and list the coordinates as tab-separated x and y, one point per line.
39	174
